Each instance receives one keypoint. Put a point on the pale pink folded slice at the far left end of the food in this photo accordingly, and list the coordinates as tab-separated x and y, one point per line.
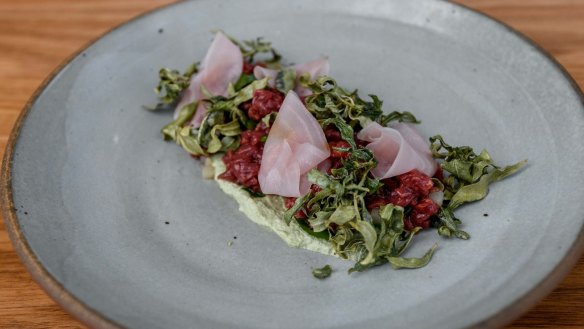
222	65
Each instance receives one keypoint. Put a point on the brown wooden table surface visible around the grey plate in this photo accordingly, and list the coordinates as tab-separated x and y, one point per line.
35	36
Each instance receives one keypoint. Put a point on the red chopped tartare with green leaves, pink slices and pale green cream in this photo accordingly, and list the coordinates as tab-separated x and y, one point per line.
322	167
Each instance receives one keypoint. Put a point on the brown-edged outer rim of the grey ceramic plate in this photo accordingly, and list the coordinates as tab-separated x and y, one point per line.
94	319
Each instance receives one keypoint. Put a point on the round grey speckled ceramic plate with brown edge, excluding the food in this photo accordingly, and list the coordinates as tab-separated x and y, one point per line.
88	182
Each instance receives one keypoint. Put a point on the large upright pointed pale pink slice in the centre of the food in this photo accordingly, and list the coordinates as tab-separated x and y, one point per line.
295	145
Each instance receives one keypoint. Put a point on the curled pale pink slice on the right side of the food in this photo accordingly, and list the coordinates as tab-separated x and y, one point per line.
397	149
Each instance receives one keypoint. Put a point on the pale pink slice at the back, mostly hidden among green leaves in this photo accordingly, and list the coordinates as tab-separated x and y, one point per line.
314	68
